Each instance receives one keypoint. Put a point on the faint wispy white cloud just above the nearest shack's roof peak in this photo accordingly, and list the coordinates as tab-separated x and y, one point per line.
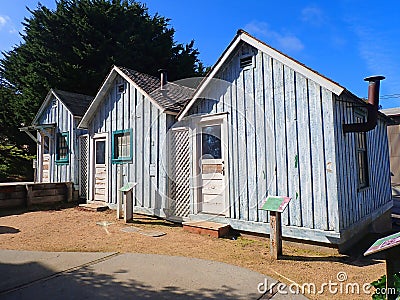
284	41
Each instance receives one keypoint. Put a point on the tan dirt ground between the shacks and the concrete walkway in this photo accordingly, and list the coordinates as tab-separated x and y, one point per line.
73	229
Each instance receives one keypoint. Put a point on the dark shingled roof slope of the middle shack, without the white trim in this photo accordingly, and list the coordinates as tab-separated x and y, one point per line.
171	97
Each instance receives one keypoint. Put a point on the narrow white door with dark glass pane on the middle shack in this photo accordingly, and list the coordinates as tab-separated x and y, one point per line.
100	169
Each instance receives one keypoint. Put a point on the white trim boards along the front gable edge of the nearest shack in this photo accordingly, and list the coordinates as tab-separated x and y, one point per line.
243	36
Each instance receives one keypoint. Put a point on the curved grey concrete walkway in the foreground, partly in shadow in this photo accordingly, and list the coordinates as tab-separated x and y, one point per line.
60	275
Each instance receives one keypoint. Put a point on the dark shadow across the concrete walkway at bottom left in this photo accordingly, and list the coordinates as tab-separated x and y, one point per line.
42	283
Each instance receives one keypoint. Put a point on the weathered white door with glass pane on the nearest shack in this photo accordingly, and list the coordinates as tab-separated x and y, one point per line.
212	167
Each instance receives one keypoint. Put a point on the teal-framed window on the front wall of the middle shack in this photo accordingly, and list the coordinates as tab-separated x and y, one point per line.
122	146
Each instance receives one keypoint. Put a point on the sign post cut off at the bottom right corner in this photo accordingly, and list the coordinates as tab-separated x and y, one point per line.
390	246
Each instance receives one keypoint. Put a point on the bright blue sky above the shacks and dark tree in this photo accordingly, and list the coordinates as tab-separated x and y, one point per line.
345	40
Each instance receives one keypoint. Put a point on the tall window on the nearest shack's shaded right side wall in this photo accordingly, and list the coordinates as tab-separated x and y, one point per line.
361	149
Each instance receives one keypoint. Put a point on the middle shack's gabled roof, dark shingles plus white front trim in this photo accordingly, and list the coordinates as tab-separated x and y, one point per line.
170	99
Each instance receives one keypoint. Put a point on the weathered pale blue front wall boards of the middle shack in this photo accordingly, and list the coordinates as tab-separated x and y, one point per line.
132	110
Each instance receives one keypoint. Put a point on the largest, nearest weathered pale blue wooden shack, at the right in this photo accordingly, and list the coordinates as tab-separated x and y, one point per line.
261	123
